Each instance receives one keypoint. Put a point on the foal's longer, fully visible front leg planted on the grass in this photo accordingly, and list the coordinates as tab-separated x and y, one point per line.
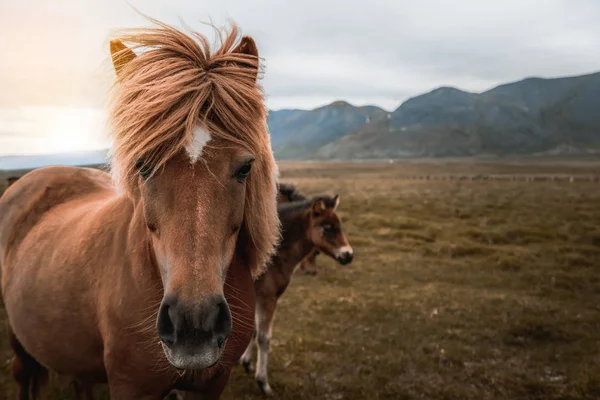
265	312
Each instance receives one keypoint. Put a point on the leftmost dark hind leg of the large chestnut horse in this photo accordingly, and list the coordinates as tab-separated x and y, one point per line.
28	373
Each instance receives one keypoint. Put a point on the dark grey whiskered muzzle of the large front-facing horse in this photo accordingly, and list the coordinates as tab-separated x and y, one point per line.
193	334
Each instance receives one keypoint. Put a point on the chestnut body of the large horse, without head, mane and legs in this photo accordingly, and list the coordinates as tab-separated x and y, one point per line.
37	207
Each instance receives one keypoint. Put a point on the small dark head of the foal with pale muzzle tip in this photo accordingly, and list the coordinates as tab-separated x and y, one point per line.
327	234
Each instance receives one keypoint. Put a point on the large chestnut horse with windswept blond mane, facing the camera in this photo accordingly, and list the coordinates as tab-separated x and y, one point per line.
149	287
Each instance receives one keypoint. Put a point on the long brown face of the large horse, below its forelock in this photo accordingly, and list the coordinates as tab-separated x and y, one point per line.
193	213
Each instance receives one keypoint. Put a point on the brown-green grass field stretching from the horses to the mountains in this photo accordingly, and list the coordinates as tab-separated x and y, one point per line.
459	290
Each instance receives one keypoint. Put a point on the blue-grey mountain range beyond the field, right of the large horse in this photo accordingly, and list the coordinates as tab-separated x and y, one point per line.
532	116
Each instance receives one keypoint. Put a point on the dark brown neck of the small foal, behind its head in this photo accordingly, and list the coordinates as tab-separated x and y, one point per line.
296	243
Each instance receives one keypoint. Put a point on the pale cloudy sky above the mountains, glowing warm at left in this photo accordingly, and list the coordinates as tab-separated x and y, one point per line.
55	69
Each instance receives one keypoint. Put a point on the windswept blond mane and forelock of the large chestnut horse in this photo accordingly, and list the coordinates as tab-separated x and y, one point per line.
175	84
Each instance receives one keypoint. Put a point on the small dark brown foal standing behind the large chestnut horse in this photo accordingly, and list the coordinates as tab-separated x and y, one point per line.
306	225
